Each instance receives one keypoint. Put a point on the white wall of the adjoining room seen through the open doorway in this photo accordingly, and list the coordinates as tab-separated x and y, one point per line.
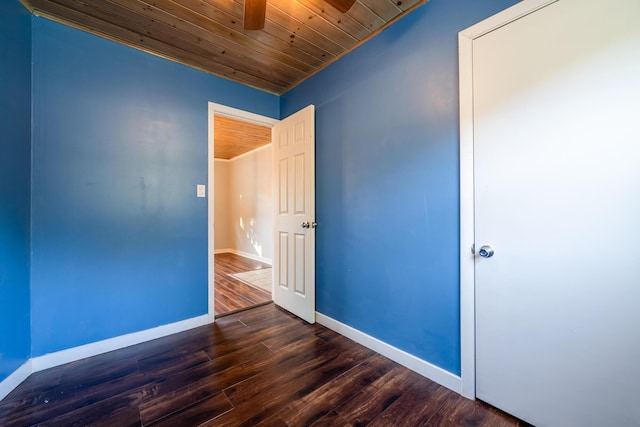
243	203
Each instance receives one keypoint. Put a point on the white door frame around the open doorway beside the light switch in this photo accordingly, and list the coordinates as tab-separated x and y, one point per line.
246	116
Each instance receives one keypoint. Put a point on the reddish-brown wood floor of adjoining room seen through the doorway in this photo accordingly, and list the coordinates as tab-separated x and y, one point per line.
232	294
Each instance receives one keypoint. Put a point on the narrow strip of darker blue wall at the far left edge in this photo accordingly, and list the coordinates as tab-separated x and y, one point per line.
15	185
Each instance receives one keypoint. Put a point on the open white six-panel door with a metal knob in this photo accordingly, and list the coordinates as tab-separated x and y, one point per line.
294	214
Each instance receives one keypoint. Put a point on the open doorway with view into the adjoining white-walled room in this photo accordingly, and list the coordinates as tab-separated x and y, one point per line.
240	210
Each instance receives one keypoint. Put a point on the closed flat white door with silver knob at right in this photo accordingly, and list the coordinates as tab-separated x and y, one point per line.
557	197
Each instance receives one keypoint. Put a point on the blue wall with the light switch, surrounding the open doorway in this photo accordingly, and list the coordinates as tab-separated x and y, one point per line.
119	144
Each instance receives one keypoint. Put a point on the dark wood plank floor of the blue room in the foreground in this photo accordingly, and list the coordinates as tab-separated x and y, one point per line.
259	367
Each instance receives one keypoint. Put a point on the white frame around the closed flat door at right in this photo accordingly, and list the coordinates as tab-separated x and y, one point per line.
467	231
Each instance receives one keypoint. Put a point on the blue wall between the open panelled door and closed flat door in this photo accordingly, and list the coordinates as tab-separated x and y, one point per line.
387	181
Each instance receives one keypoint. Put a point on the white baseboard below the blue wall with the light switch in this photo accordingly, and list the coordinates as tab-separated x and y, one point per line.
76	353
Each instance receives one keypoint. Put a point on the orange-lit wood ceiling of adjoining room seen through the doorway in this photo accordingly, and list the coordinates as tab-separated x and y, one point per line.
234	137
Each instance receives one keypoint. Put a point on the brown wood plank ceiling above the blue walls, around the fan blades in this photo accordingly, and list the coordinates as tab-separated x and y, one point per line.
299	38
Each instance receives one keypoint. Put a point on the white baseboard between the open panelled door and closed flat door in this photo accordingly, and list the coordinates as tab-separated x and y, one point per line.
424	368
